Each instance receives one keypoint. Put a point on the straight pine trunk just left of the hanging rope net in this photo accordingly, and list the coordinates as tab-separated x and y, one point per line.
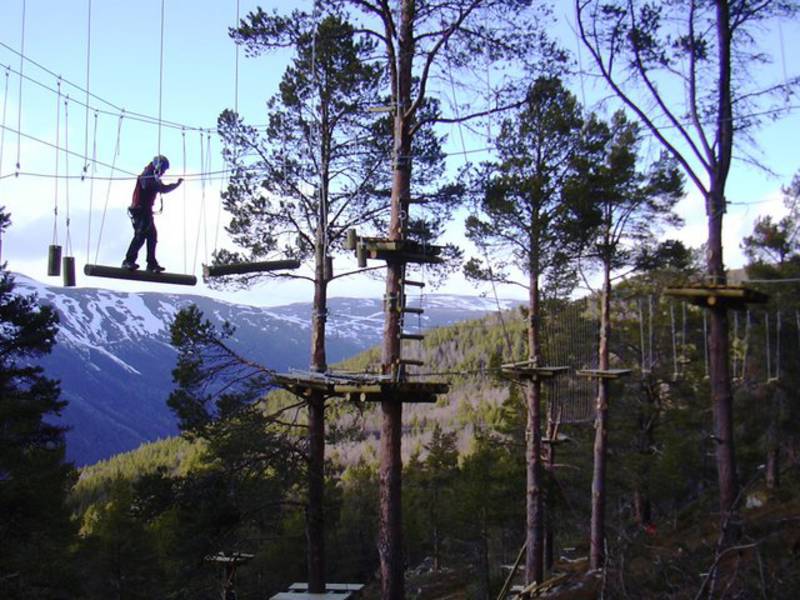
534	558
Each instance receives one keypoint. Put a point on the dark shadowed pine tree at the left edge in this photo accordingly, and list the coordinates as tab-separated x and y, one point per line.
34	477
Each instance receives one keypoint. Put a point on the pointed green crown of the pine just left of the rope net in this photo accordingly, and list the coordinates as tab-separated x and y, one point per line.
520	209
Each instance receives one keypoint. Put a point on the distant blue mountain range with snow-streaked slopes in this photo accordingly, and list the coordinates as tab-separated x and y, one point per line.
114	358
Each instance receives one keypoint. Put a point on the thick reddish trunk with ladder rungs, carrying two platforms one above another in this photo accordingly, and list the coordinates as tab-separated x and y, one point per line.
390	535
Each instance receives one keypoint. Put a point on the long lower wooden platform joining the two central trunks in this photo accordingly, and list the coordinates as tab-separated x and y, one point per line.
361	387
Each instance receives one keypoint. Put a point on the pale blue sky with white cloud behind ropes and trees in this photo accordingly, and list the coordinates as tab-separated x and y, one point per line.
199	66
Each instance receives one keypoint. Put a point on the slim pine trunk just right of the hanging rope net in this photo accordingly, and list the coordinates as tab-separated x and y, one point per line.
598	531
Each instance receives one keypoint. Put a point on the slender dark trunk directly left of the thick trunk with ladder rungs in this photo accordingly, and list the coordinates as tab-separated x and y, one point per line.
315	518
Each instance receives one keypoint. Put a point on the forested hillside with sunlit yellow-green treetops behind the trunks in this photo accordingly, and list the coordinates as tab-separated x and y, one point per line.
464	469
